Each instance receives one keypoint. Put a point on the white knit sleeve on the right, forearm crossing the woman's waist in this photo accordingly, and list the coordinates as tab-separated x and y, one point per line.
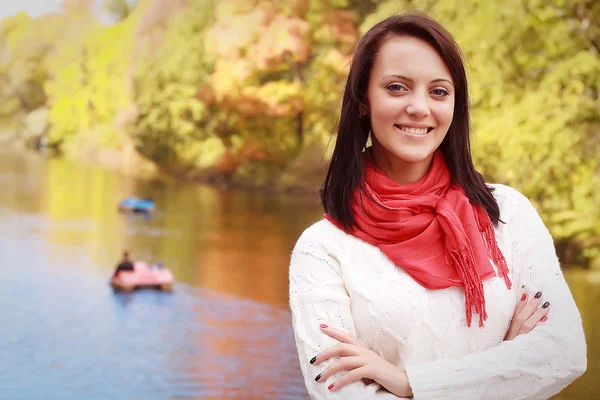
536	365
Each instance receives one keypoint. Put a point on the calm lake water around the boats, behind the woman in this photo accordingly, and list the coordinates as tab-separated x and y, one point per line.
224	333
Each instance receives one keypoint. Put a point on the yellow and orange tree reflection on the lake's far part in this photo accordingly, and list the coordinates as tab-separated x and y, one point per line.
230	242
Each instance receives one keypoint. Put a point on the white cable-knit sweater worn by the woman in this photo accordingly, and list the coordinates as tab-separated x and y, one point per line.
339	280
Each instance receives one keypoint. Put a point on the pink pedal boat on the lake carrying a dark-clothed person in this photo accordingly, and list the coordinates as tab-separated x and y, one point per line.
142	276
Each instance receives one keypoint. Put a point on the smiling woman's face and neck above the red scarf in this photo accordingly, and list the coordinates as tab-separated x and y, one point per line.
411	104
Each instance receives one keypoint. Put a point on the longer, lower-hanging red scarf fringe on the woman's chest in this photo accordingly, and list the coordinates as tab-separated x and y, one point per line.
464	263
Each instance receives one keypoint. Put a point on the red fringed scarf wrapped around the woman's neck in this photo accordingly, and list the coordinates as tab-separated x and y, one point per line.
431	230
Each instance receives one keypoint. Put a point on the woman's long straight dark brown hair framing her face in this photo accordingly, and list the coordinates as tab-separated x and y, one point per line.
346	168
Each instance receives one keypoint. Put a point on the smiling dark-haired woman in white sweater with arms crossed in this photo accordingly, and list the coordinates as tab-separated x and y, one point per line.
422	280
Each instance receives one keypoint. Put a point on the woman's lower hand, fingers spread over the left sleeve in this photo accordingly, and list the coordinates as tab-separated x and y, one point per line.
361	363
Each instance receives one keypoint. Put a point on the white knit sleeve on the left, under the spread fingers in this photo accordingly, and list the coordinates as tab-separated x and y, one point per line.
318	295
